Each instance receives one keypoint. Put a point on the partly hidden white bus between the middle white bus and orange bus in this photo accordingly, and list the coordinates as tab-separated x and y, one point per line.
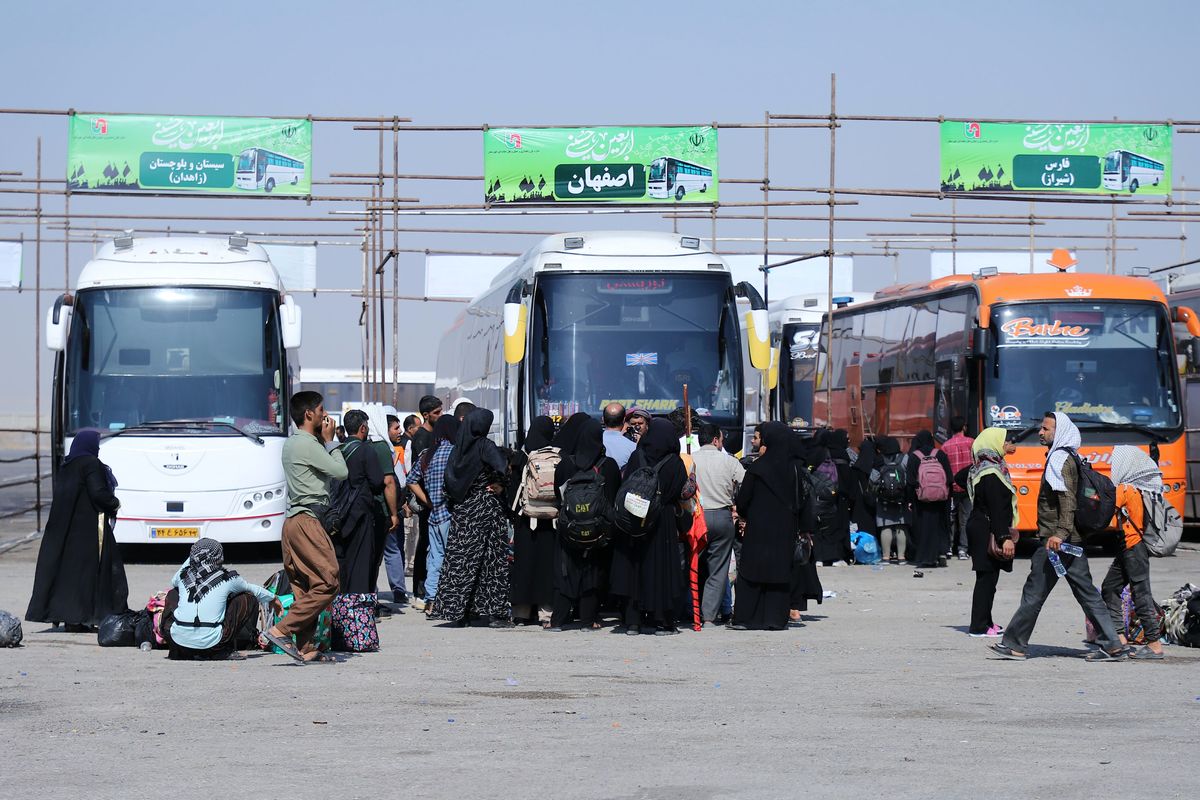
799	353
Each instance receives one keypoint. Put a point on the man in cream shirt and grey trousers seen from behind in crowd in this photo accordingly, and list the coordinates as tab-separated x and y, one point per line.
718	476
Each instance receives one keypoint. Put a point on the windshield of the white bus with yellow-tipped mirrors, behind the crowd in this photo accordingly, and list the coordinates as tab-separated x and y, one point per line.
637	339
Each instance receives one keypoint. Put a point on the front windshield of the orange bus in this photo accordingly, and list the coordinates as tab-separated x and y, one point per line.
1107	363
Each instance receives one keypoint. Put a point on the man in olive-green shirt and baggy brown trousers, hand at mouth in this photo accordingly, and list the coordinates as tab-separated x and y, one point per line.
309	556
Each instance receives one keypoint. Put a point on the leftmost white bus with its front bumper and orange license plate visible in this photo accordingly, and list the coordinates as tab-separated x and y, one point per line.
178	351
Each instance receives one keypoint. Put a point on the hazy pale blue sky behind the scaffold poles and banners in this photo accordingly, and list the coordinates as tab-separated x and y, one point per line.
562	63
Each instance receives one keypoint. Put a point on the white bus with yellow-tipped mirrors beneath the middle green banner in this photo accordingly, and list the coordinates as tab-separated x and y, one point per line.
587	318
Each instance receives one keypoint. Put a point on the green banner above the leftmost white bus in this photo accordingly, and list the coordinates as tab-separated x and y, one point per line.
190	154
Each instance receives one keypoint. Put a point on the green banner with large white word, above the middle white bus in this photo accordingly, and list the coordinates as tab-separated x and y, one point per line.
638	165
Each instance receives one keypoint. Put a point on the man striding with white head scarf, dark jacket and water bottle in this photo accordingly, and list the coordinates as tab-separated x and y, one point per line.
1057	526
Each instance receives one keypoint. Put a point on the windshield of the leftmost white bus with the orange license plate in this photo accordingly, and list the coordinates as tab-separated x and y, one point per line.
143	356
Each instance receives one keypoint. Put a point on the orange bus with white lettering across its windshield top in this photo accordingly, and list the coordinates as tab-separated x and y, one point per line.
1004	350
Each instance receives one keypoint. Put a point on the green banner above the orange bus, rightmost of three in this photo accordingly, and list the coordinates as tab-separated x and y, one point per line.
1057	158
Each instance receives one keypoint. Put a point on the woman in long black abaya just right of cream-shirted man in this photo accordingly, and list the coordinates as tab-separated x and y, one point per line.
769	503
